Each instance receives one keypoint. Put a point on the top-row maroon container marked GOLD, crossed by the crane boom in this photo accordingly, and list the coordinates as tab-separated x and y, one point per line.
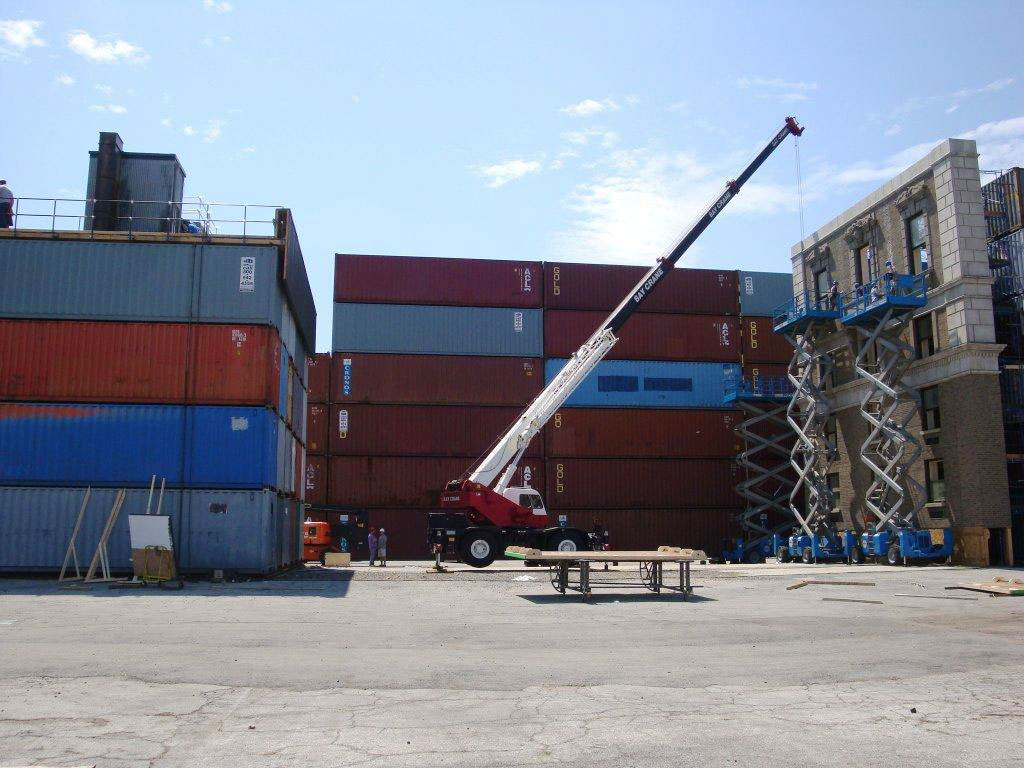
605	286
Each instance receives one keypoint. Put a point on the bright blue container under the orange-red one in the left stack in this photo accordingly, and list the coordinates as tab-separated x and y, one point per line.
124	446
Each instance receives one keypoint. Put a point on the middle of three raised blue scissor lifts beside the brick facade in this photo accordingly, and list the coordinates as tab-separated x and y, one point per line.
806	322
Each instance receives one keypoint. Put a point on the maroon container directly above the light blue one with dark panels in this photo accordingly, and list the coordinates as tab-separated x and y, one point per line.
648	336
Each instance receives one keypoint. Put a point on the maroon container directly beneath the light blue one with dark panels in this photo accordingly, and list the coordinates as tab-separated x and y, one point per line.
606	433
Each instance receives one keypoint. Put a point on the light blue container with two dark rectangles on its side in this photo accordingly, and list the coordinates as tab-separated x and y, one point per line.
650	385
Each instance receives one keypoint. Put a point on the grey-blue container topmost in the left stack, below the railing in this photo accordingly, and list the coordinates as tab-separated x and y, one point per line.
166	282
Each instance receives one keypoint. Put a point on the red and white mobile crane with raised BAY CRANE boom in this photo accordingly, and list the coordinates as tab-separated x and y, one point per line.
485	513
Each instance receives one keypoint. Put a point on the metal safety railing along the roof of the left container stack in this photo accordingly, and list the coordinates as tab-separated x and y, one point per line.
191	217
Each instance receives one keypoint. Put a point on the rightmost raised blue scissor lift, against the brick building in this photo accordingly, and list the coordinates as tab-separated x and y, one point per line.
880	314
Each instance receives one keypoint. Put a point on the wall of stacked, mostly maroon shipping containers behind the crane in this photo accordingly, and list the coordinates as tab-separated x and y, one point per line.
435	358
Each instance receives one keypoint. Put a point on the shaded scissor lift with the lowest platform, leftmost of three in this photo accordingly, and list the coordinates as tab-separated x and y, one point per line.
765	460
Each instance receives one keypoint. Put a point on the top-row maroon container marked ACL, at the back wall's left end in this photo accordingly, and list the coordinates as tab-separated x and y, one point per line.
407	280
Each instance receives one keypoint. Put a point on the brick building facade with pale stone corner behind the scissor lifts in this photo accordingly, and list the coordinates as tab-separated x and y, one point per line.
928	220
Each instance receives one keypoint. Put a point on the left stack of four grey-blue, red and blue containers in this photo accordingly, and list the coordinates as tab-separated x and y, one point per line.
124	360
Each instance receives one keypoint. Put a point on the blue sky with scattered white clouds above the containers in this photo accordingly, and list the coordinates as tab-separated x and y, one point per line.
584	132
